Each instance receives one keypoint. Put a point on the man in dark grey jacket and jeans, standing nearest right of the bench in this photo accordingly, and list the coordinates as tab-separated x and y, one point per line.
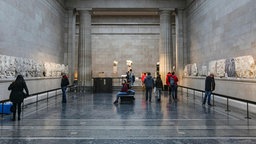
149	84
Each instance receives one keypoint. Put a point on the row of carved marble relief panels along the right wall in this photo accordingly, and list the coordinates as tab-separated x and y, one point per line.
242	67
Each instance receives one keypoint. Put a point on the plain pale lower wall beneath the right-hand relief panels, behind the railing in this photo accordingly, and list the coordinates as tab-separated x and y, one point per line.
238	88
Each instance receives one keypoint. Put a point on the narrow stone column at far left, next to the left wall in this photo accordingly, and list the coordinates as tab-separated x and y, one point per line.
71	43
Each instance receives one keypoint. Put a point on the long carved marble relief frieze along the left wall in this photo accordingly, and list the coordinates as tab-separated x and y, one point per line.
10	67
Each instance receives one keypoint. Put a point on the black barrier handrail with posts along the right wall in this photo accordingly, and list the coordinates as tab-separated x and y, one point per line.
227	97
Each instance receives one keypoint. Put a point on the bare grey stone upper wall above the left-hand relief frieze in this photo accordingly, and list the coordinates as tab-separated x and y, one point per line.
32	29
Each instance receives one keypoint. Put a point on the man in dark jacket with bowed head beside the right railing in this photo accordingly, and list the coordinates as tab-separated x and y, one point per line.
209	87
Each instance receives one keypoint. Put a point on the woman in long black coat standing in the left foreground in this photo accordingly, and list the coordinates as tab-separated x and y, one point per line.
17	95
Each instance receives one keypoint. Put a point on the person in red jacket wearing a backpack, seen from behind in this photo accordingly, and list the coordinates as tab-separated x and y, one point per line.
173	79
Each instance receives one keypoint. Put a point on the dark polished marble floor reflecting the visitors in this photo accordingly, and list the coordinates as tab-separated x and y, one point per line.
89	118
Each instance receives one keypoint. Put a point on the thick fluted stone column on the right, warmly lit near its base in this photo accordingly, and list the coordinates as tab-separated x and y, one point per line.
165	43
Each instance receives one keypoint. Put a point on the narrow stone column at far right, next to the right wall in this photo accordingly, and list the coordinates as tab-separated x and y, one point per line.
179	44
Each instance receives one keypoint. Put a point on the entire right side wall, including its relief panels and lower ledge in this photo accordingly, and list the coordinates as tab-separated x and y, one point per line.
221	37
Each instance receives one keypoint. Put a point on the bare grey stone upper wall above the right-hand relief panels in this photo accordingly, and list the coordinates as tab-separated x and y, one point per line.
221	29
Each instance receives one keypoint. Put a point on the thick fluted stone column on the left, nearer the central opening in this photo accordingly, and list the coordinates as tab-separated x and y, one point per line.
85	52
